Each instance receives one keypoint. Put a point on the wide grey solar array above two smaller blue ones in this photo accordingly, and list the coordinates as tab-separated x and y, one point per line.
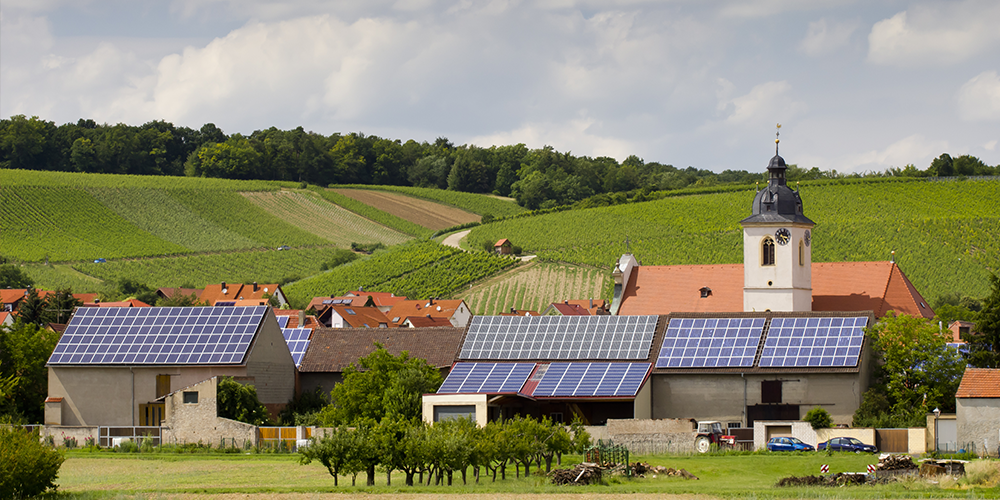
559	337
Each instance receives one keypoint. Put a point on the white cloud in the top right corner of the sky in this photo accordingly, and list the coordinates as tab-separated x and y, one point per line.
943	33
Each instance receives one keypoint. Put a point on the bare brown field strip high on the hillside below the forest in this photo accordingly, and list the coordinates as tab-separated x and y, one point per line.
425	213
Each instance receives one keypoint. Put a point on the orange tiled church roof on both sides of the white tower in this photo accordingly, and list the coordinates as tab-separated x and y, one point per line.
837	286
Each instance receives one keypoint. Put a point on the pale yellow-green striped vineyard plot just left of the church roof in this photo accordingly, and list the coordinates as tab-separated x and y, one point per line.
535	286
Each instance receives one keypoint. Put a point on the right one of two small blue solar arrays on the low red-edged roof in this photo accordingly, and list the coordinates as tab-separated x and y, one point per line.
592	379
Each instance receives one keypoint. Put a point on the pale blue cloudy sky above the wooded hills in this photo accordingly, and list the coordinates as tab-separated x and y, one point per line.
856	85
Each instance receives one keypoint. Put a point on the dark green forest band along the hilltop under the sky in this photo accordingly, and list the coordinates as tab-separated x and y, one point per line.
536	178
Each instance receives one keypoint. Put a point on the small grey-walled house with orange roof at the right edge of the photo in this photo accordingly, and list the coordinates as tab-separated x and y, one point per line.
978	410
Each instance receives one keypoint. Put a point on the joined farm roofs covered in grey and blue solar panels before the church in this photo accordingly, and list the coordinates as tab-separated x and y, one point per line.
598	357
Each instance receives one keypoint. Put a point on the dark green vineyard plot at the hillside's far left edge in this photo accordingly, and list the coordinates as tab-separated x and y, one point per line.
65	224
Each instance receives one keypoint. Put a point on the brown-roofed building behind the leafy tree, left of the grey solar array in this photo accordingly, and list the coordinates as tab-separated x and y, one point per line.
334	349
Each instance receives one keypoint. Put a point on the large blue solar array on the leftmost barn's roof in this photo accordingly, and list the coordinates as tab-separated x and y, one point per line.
158	335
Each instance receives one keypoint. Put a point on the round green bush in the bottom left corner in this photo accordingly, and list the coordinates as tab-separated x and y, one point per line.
27	467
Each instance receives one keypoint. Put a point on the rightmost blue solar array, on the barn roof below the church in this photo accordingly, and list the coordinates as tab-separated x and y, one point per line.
819	342
